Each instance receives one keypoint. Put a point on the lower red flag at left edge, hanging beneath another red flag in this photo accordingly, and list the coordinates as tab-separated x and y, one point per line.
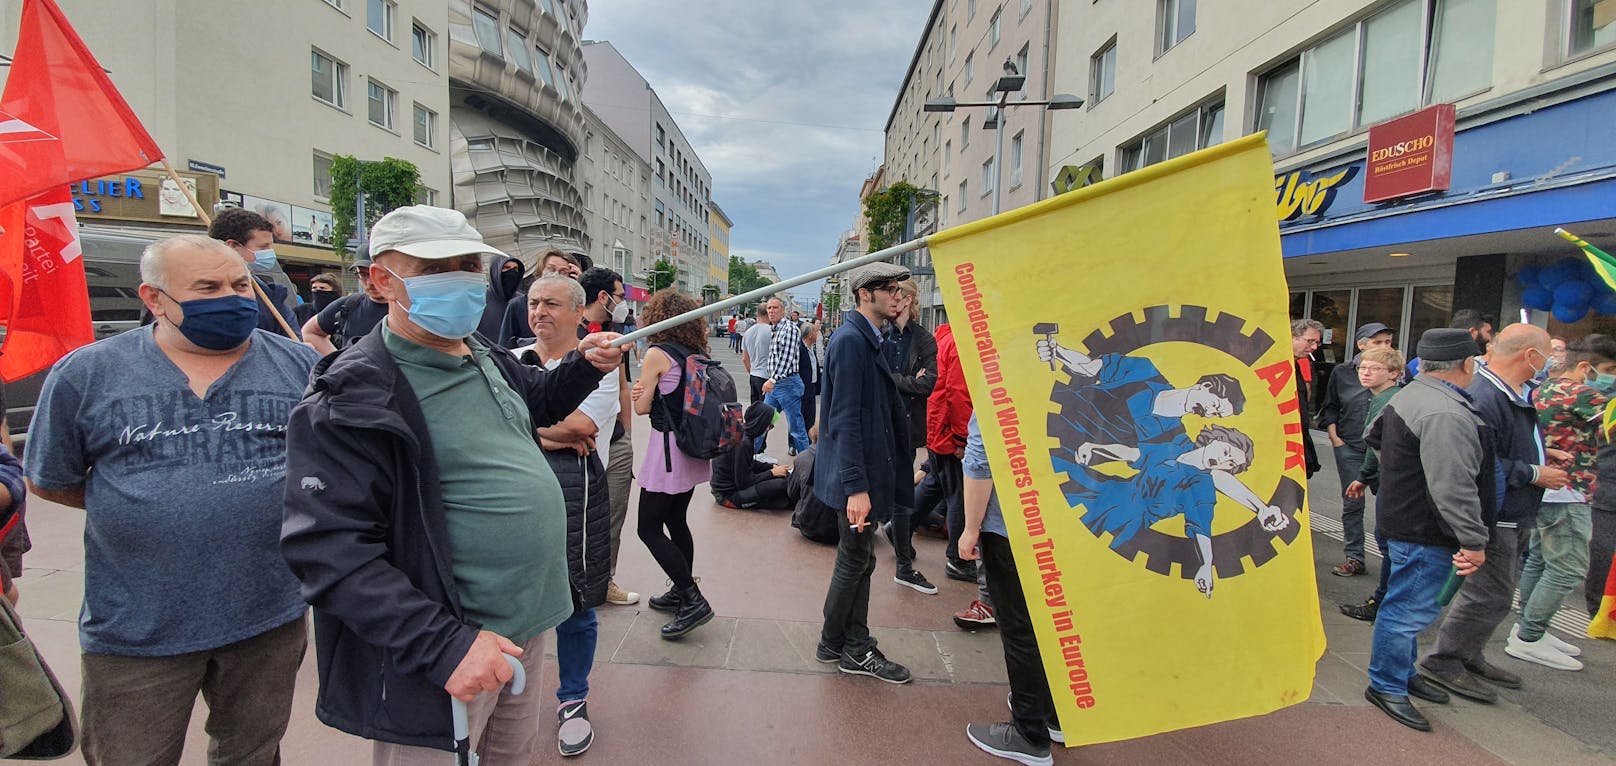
44	301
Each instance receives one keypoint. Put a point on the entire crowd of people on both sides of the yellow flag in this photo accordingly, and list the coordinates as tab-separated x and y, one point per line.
440	465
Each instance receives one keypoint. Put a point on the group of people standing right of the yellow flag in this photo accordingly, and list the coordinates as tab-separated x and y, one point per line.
1486	457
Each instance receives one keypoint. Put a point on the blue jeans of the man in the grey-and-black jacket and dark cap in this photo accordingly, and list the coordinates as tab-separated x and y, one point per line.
1418	573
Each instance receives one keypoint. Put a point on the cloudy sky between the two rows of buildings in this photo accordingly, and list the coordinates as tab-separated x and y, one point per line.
785	103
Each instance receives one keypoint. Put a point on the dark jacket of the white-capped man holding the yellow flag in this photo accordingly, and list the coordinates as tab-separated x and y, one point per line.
366	536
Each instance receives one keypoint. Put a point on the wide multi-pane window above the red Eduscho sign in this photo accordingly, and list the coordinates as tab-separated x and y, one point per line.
1378	69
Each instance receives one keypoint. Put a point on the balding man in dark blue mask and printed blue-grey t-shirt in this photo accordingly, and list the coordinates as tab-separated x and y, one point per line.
182	479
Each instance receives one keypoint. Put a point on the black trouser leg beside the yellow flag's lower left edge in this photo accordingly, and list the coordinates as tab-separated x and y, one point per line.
1032	707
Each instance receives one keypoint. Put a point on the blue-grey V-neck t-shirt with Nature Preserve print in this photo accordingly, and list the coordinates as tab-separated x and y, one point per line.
183	495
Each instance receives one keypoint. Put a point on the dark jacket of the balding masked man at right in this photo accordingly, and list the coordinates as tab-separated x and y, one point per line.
1517	442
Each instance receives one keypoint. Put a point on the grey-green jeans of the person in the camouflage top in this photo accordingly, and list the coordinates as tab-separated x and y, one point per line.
1557	565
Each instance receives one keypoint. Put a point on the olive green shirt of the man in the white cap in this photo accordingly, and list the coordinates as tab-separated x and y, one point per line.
508	521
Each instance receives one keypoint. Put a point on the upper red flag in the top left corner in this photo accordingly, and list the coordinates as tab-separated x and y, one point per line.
61	119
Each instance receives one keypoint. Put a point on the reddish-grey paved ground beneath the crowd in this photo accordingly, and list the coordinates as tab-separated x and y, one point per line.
746	688
